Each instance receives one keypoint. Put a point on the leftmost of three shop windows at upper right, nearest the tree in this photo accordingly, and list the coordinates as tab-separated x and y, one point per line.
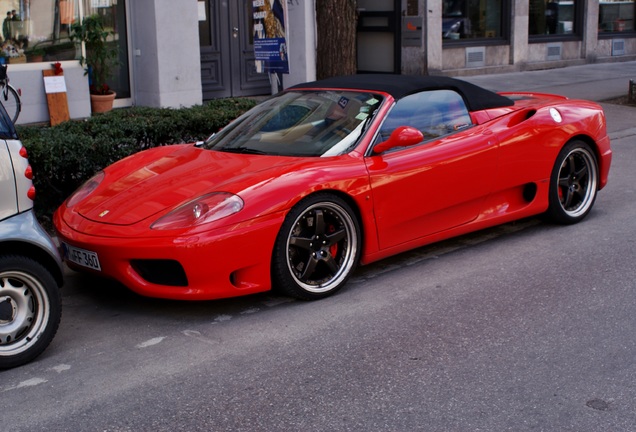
472	19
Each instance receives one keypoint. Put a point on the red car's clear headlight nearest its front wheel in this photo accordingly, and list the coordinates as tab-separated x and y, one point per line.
205	209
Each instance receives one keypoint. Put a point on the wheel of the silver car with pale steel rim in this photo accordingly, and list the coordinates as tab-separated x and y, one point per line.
30	310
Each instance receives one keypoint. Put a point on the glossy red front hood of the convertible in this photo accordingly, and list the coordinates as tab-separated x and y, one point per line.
158	180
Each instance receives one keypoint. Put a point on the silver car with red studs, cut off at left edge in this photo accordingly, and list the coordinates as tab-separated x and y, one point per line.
30	266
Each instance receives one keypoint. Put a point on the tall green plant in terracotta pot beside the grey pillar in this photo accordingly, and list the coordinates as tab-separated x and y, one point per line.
100	61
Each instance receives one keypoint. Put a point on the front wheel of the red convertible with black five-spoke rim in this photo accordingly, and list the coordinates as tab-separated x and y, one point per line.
317	248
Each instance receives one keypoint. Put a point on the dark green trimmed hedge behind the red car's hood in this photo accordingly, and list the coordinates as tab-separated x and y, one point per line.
65	156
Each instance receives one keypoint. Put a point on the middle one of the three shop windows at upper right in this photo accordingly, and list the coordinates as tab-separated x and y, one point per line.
553	17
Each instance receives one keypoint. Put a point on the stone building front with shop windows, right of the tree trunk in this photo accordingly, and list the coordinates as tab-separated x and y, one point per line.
467	37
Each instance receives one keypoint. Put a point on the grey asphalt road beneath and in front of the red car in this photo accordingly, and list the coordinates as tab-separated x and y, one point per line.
527	326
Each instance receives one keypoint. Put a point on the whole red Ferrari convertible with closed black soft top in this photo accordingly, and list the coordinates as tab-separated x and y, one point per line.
327	175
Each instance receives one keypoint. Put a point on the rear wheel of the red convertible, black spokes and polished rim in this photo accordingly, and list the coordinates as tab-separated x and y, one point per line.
573	183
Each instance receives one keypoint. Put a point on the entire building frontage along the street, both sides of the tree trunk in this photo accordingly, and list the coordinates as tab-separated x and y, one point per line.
175	54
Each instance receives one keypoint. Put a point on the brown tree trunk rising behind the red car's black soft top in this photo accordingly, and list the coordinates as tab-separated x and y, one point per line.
336	22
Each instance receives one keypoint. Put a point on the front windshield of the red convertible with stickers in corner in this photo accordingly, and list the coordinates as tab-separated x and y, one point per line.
300	123
